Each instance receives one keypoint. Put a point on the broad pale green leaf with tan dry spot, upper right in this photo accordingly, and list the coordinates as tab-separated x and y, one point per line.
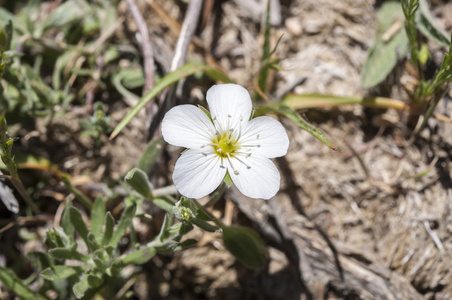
391	42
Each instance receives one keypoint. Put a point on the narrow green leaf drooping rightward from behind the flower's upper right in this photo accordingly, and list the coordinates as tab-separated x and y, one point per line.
292	115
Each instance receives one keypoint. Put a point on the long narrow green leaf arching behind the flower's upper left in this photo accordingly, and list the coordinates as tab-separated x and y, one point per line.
166	81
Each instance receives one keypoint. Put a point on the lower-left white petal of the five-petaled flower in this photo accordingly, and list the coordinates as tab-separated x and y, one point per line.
197	174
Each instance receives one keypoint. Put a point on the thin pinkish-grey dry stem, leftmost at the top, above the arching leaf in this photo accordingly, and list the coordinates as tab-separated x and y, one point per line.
146	47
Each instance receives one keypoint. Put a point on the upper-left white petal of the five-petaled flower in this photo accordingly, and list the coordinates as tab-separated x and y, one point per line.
187	126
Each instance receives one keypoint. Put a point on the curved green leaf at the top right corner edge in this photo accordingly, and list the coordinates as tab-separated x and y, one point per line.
426	25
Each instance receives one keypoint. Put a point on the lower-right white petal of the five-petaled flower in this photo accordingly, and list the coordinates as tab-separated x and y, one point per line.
256	176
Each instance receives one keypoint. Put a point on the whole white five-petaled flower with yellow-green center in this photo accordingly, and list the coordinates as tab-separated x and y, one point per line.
230	142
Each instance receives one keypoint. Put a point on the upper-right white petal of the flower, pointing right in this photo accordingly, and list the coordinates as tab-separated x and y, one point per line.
266	136
